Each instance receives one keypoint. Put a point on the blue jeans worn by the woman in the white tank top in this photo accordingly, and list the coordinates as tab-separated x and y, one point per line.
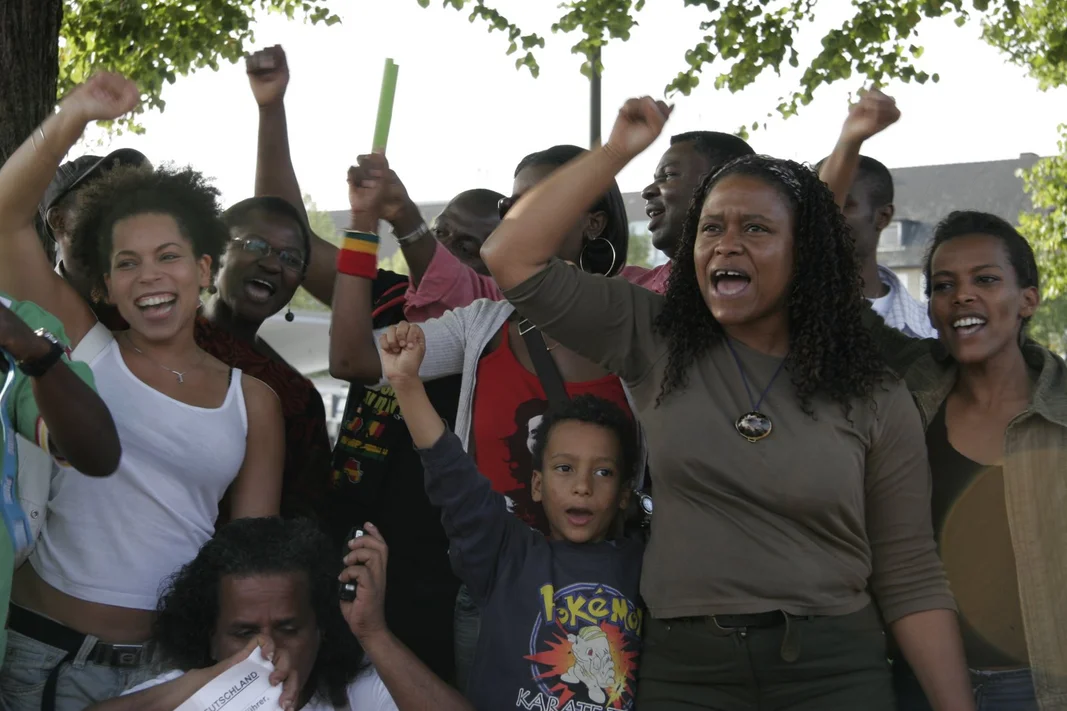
82	684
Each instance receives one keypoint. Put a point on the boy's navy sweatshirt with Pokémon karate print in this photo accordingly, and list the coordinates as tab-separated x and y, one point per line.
561	622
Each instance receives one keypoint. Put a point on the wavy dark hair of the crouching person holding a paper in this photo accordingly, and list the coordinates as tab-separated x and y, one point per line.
189	606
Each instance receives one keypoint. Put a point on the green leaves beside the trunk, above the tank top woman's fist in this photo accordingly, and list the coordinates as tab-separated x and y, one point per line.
153	43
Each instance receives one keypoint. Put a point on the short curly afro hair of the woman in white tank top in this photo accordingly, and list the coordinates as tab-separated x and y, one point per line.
130	191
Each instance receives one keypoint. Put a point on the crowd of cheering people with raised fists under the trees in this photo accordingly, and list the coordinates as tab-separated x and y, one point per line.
759	478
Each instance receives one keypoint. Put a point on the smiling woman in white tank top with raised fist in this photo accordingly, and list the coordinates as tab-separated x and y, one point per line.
189	425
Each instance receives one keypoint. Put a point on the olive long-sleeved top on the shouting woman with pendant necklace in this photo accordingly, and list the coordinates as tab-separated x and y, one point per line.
807	520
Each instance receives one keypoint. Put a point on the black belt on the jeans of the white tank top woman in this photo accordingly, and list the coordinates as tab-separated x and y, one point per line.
54	635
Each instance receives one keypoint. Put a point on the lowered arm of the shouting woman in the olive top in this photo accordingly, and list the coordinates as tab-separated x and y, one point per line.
909	579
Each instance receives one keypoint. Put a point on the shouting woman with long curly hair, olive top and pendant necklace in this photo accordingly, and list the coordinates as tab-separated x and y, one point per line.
792	484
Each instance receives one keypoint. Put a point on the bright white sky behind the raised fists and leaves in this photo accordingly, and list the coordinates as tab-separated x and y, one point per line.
465	117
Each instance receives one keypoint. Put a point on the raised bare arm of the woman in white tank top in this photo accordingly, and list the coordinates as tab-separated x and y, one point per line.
26	274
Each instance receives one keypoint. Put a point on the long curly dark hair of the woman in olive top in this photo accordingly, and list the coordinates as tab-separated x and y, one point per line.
831	351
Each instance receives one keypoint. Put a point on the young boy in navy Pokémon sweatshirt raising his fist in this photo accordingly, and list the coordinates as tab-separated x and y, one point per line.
562	618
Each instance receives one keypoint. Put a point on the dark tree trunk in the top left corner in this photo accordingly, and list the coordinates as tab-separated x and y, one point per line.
29	68
